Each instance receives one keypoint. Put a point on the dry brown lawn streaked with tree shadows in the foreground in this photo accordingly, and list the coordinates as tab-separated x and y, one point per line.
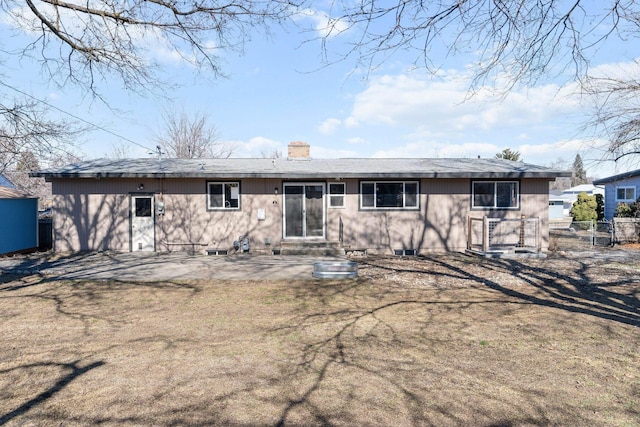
435	341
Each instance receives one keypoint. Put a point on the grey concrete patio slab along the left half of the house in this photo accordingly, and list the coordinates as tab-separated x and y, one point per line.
163	266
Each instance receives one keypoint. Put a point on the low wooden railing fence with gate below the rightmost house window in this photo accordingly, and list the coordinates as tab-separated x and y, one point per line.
503	234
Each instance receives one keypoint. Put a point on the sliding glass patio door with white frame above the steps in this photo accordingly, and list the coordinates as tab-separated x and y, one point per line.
304	213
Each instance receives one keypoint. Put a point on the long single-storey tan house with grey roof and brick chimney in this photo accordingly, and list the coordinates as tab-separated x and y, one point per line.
381	205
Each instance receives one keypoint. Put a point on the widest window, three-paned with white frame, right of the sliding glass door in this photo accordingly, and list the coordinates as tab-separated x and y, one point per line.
389	195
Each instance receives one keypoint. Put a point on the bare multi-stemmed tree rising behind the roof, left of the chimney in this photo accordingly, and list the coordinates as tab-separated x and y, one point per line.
186	137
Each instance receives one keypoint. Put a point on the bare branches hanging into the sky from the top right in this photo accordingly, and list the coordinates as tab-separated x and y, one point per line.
521	41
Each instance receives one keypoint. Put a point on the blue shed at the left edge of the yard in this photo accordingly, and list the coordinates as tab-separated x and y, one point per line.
18	219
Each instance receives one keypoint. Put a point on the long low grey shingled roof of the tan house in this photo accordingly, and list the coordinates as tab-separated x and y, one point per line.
364	168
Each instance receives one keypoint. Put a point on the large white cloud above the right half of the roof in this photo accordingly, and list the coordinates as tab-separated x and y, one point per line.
444	105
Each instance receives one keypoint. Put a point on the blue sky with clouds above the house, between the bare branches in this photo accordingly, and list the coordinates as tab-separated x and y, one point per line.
278	91
